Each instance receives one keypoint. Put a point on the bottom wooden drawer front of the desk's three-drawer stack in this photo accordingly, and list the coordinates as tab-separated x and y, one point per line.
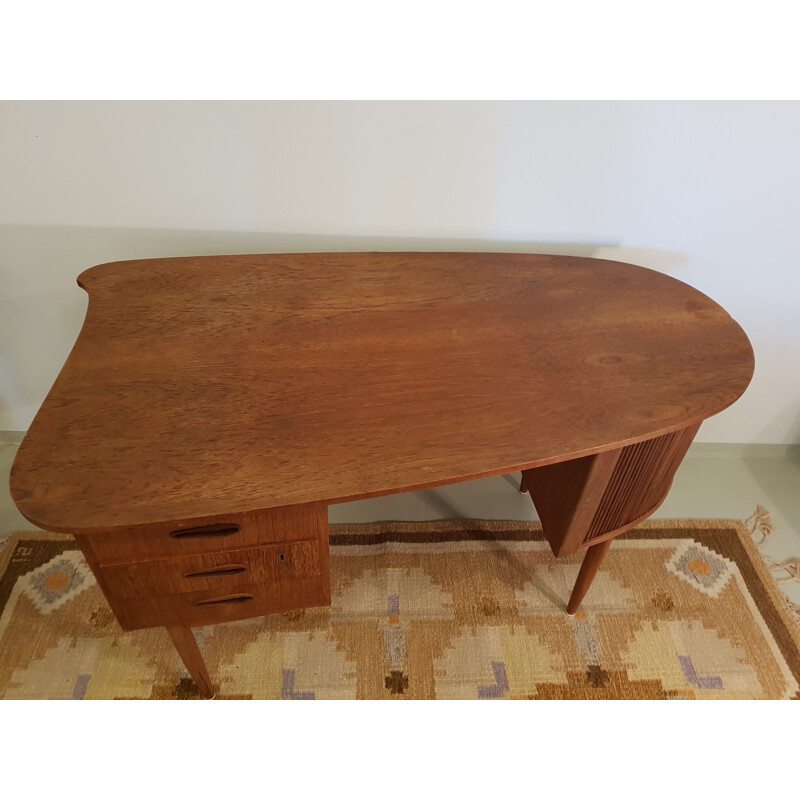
196	609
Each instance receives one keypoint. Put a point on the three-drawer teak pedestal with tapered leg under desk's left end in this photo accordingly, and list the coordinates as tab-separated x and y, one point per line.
192	573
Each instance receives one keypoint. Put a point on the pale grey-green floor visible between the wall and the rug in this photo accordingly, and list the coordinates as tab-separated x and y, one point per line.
714	482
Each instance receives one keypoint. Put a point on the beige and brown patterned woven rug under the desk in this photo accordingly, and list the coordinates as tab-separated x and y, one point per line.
679	610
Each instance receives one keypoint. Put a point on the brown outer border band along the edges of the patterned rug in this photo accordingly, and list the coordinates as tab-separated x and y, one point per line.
780	601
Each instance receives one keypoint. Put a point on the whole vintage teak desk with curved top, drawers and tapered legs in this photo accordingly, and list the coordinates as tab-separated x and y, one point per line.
212	408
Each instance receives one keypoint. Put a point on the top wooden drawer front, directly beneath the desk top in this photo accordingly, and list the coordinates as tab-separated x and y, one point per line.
234	532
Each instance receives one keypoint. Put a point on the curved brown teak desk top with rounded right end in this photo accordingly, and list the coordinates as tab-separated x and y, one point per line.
200	386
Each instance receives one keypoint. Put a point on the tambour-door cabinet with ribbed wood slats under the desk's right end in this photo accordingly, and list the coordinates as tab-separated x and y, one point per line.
583	501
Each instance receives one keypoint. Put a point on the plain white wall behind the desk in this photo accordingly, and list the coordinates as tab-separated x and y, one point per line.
704	191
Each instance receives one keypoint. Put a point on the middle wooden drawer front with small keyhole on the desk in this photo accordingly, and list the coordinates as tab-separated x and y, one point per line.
222	571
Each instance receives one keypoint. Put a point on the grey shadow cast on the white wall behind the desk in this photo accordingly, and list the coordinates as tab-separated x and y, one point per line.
42	308
